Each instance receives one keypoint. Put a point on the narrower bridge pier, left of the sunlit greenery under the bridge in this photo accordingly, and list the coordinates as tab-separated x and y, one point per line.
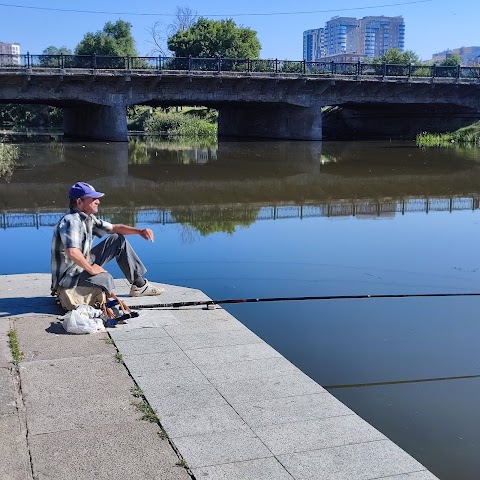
98	122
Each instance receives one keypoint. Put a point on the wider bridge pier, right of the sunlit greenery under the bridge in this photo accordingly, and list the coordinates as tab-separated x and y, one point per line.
281	121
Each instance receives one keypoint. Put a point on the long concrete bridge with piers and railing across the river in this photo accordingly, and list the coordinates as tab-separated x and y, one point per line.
373	100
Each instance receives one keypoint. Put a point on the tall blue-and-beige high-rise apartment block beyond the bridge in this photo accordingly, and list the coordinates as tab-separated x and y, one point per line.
366	37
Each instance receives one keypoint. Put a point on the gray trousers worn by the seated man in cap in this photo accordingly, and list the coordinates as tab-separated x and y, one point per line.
113	247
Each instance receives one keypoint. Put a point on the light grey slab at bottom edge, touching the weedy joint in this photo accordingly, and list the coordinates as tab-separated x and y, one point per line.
261	469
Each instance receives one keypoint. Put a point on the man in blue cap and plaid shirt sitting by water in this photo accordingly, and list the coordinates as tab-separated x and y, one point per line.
76	264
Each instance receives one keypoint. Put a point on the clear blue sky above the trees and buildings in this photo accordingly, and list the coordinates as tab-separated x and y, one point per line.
431	25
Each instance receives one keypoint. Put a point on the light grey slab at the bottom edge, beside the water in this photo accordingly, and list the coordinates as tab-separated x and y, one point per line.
362	461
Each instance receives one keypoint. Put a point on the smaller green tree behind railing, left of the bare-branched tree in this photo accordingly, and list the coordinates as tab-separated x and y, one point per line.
114	40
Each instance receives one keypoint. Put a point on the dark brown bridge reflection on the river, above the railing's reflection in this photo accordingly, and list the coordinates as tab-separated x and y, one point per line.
266	173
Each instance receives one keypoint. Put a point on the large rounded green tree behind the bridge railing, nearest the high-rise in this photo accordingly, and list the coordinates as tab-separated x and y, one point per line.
212	38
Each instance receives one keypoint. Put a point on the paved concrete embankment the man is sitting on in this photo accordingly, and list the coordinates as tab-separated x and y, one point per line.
224	404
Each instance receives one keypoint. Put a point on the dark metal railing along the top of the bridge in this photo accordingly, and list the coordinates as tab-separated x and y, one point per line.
233	65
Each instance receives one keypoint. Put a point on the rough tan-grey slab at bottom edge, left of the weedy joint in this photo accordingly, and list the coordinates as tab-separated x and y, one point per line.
131	450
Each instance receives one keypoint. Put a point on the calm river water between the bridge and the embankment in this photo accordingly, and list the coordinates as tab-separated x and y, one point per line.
287	219
